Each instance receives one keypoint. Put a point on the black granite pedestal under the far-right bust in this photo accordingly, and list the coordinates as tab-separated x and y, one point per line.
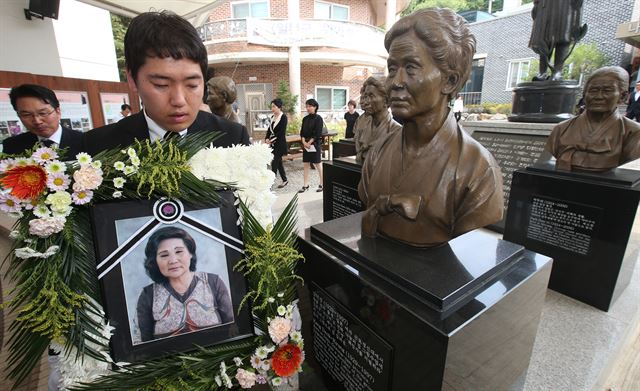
585	222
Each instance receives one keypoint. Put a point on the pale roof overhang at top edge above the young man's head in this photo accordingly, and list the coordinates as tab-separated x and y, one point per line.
184	8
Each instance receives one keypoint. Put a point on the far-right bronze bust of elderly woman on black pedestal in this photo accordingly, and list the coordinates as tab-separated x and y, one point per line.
600	138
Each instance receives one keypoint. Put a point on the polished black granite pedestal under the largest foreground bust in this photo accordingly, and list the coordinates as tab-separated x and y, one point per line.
462	316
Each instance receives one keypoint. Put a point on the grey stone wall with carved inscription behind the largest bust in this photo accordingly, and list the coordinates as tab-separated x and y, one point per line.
513	152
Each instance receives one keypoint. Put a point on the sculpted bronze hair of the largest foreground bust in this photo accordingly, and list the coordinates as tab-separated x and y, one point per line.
450	42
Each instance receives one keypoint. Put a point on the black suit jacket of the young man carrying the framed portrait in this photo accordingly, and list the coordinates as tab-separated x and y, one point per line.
134	127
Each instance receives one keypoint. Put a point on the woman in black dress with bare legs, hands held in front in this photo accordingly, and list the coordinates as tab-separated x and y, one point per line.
311	137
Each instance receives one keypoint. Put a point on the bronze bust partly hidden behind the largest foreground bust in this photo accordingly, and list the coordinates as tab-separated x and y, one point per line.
376	121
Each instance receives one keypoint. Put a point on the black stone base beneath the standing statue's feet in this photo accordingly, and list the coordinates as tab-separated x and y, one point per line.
544	101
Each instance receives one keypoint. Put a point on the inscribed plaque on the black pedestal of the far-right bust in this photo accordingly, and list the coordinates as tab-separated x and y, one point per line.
562	224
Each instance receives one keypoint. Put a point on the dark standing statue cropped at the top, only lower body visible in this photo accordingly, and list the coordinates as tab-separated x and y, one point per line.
556	29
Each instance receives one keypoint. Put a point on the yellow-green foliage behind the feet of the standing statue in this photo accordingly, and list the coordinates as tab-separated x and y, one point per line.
584	59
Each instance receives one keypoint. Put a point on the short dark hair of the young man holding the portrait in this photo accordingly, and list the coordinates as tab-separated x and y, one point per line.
162	34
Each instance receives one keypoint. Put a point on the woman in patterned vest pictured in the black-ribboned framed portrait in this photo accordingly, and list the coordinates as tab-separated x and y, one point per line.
181	299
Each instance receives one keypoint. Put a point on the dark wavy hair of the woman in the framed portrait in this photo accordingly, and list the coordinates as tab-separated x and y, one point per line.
151	251
